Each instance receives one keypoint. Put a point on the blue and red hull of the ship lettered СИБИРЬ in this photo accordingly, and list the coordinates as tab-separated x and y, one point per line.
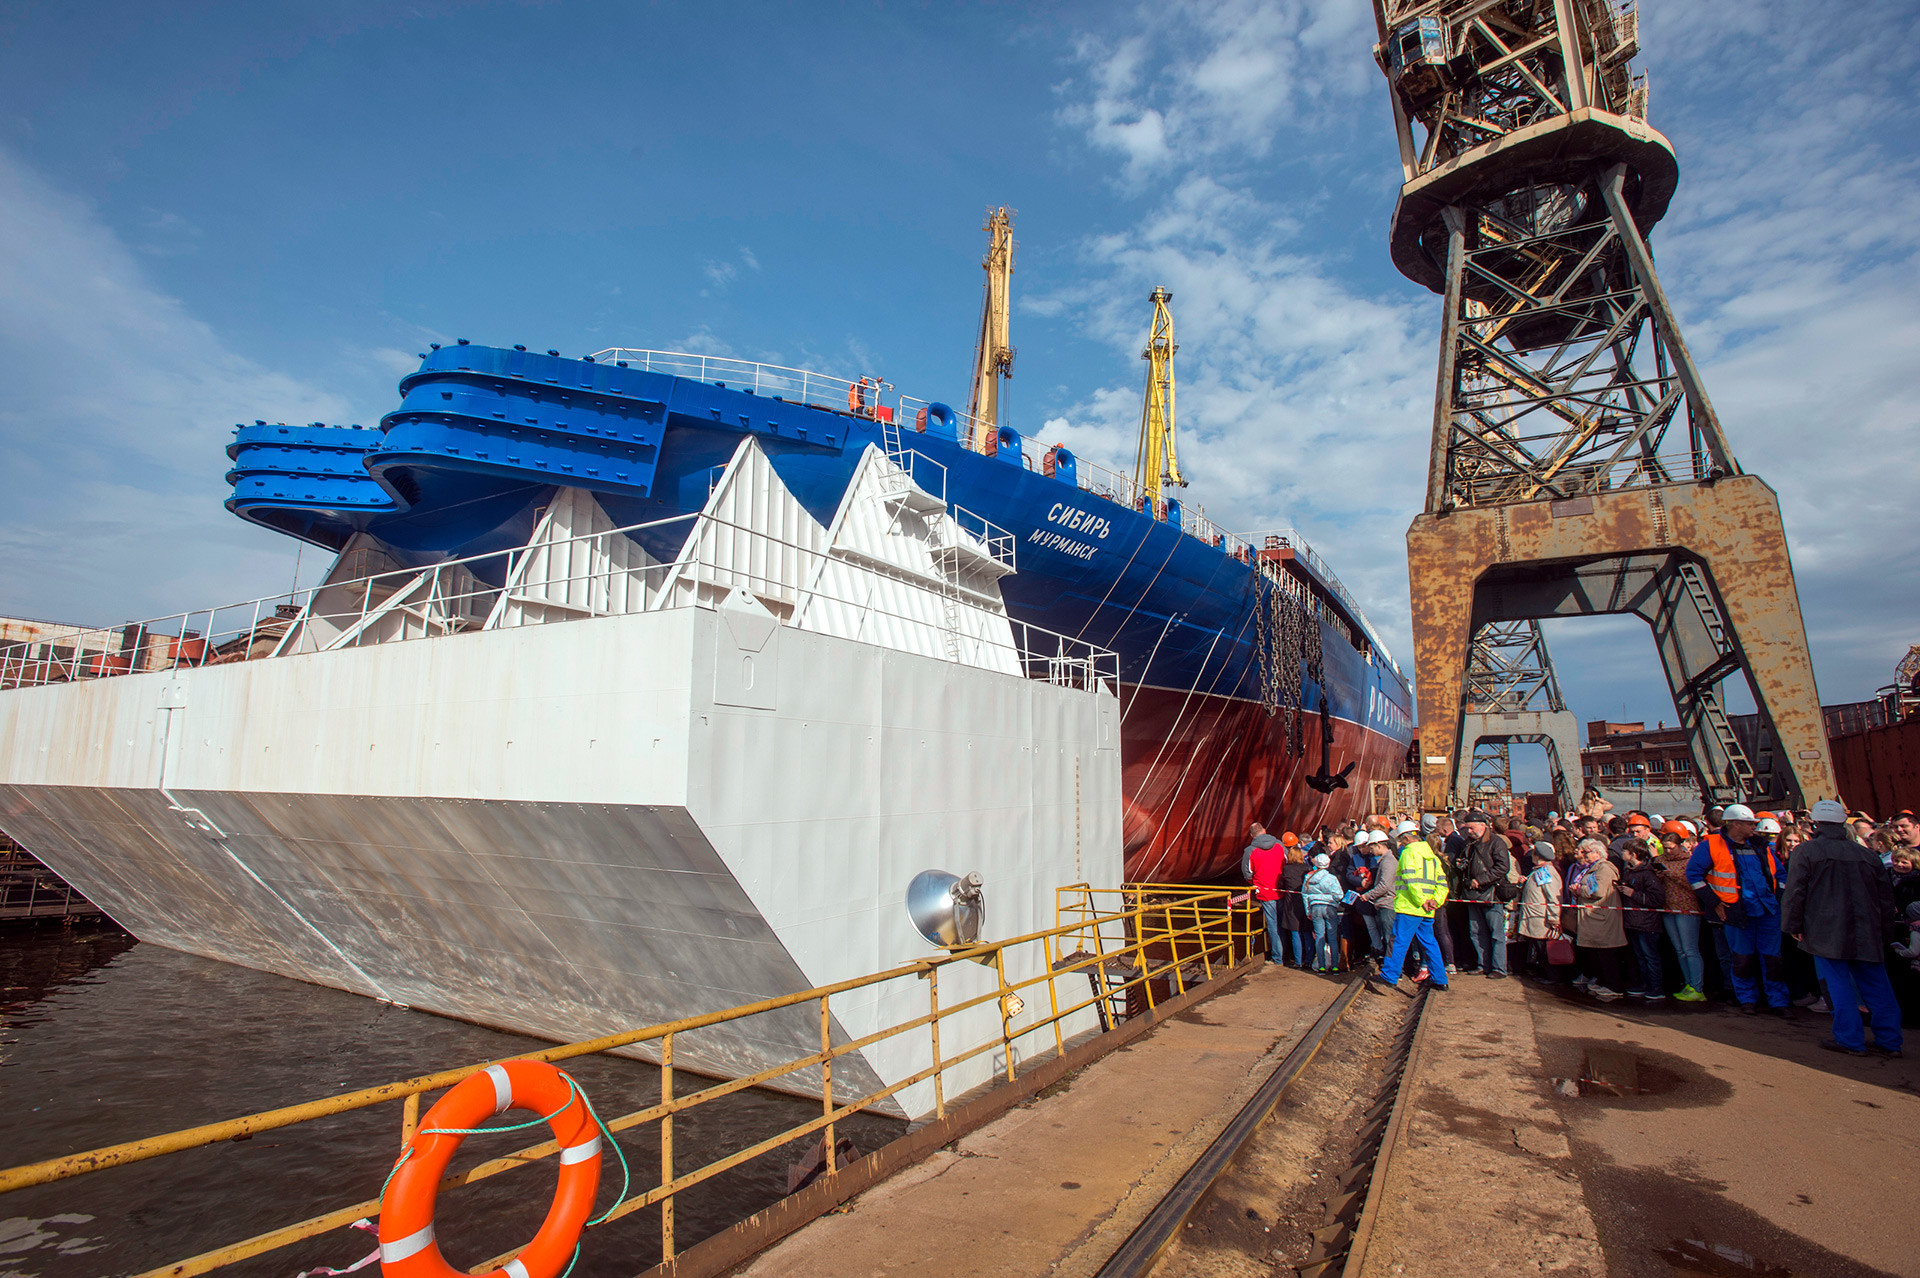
485	437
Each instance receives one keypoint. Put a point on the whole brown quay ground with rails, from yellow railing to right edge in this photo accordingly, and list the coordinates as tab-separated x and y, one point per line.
1725	1147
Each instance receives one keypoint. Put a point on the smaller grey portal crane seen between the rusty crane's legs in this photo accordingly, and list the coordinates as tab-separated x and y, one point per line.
1514	699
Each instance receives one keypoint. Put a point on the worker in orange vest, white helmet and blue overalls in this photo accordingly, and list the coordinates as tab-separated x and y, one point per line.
1739	884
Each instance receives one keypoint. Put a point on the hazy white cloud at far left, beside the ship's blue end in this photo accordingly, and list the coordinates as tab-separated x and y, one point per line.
112	433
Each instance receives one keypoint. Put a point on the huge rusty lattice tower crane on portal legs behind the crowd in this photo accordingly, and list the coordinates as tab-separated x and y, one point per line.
1577	463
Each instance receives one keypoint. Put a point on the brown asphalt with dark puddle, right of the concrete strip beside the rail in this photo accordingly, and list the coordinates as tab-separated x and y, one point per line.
1748	1152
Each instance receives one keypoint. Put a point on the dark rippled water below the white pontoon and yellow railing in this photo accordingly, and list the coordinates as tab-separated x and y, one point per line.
105	1039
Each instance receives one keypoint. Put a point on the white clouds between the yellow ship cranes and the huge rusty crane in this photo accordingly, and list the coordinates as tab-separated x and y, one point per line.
1297	389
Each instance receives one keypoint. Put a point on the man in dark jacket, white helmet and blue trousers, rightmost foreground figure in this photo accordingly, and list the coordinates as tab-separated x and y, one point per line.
1840	907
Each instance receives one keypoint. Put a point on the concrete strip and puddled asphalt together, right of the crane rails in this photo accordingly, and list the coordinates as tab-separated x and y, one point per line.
1572	1137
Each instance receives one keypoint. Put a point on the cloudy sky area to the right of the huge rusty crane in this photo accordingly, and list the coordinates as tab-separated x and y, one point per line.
1792	256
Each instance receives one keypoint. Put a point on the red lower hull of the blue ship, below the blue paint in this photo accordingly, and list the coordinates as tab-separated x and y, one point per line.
1199	770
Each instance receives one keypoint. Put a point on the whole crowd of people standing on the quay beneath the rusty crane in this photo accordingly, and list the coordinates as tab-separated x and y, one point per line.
1773	912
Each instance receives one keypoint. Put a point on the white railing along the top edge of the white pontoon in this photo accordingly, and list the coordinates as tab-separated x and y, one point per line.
460	596
